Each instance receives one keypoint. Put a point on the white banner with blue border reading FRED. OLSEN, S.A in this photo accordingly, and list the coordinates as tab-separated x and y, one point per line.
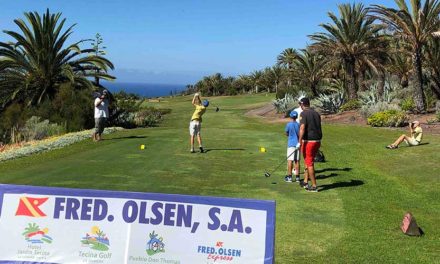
58	225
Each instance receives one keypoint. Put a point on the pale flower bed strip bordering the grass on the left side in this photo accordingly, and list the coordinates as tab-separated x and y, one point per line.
29	148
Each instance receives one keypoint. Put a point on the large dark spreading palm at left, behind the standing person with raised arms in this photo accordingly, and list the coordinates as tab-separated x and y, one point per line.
33	67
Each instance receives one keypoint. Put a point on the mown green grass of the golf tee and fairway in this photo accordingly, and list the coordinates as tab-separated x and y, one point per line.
355	218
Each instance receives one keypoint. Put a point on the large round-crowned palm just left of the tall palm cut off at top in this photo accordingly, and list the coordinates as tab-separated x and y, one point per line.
351	38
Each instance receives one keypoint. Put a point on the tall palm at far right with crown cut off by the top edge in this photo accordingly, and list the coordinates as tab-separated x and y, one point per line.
415	26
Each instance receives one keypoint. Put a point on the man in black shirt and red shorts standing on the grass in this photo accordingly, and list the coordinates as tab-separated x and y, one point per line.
310	135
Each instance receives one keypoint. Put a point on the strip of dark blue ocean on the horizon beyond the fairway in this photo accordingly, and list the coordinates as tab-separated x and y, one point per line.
145	89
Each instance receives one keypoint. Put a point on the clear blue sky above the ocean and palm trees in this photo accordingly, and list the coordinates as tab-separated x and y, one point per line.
180	41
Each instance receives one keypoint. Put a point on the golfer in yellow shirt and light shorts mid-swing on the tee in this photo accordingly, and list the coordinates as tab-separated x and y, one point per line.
196	121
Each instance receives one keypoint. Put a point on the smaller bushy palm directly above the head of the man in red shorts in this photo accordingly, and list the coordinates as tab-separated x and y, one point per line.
310	69
